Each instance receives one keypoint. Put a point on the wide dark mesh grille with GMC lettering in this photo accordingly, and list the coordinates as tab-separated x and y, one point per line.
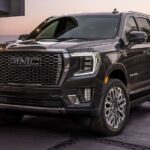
47	71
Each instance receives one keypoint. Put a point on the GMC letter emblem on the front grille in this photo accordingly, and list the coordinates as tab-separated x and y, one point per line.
25	61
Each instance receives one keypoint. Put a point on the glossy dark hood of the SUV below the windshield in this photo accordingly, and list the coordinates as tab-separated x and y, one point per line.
70	45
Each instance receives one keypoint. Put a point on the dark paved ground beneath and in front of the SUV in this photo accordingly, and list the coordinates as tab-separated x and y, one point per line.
38	133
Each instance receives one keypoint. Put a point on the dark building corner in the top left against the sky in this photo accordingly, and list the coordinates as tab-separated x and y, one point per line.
12	8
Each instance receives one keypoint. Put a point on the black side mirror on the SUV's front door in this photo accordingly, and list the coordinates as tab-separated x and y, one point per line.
138	37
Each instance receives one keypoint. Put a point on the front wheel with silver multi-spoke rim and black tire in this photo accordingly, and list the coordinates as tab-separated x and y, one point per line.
112	120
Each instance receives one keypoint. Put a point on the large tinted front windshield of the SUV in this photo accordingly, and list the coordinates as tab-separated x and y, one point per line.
82	27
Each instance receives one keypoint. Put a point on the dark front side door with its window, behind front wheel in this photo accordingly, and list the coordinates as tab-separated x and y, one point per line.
135	59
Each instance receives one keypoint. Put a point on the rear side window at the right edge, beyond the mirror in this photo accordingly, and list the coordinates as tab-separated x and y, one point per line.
144	26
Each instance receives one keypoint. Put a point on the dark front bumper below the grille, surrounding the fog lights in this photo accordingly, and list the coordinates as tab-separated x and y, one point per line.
38	100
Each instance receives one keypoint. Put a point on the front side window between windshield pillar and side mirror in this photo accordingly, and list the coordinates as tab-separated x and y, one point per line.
129	26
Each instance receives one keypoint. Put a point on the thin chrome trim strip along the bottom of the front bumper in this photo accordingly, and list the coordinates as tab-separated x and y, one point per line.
32	108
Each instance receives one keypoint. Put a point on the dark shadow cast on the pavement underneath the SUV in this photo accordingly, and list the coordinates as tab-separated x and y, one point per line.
65	125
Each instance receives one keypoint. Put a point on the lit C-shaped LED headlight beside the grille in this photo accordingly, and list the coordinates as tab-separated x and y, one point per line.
89	62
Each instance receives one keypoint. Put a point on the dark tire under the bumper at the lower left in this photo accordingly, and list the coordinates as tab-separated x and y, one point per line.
10	118
